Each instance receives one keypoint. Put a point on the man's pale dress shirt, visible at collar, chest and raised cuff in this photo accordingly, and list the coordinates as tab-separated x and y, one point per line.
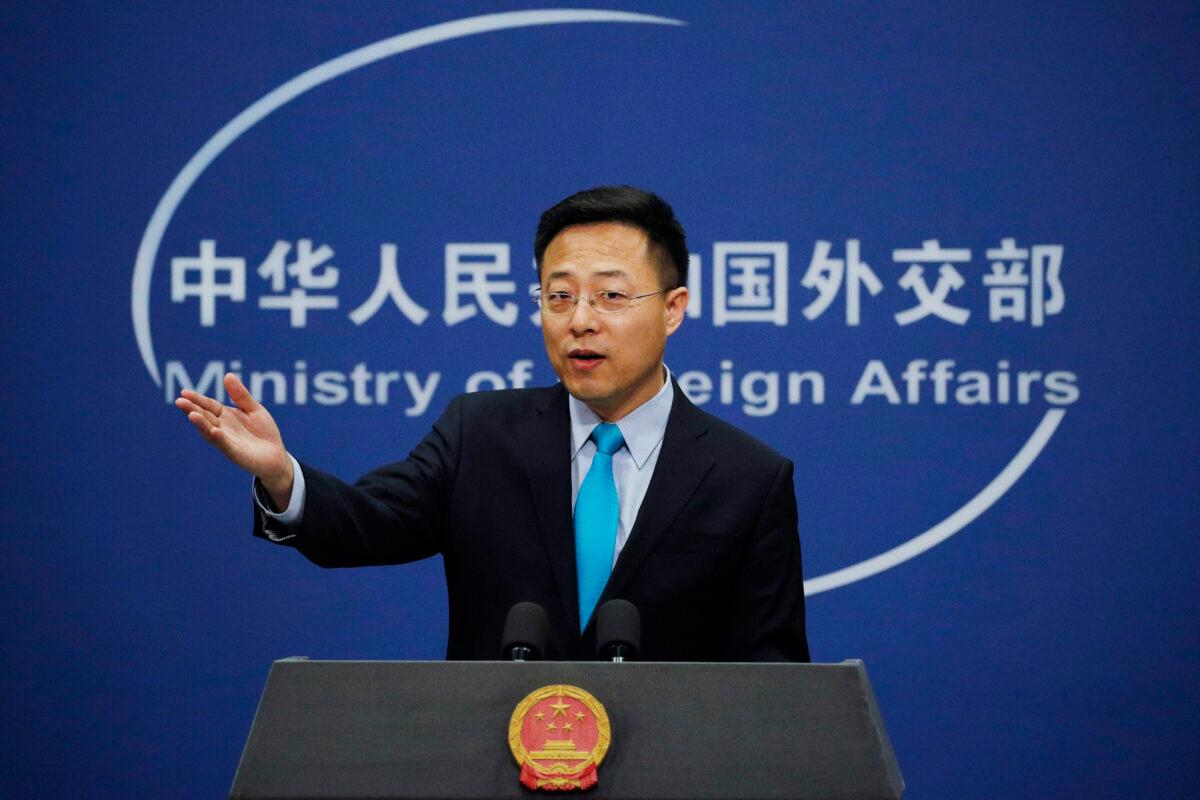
632	466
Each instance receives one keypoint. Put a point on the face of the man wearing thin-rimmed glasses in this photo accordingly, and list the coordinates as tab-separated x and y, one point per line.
610	362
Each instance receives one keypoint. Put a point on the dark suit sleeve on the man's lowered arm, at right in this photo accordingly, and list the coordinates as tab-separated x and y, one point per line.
769	619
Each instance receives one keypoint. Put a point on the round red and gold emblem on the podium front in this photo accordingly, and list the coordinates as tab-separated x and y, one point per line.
560	735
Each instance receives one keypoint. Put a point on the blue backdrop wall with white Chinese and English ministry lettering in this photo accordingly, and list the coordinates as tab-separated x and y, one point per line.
944	260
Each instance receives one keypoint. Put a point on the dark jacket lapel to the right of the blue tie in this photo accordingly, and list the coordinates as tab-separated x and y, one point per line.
681	468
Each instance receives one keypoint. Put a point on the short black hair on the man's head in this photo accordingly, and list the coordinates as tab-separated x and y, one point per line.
631	206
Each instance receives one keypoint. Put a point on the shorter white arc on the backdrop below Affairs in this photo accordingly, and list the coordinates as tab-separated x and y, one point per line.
952	525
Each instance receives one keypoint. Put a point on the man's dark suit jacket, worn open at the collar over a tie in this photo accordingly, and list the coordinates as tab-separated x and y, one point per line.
713	562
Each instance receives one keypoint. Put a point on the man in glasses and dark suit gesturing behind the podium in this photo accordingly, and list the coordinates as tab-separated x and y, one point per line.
681	514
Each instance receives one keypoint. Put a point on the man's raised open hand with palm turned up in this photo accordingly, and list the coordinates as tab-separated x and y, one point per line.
245	434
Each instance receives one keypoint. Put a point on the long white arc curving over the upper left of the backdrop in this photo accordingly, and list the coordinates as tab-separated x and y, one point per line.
152	239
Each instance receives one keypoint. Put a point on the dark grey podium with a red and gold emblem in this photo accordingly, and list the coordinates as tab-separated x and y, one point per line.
440	730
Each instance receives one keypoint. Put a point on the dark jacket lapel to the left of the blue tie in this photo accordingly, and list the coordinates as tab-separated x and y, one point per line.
547	446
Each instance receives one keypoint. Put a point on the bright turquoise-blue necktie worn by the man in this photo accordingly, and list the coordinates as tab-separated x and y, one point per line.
597	514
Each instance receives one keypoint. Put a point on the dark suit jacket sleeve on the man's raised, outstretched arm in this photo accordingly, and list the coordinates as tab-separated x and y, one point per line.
392	515
